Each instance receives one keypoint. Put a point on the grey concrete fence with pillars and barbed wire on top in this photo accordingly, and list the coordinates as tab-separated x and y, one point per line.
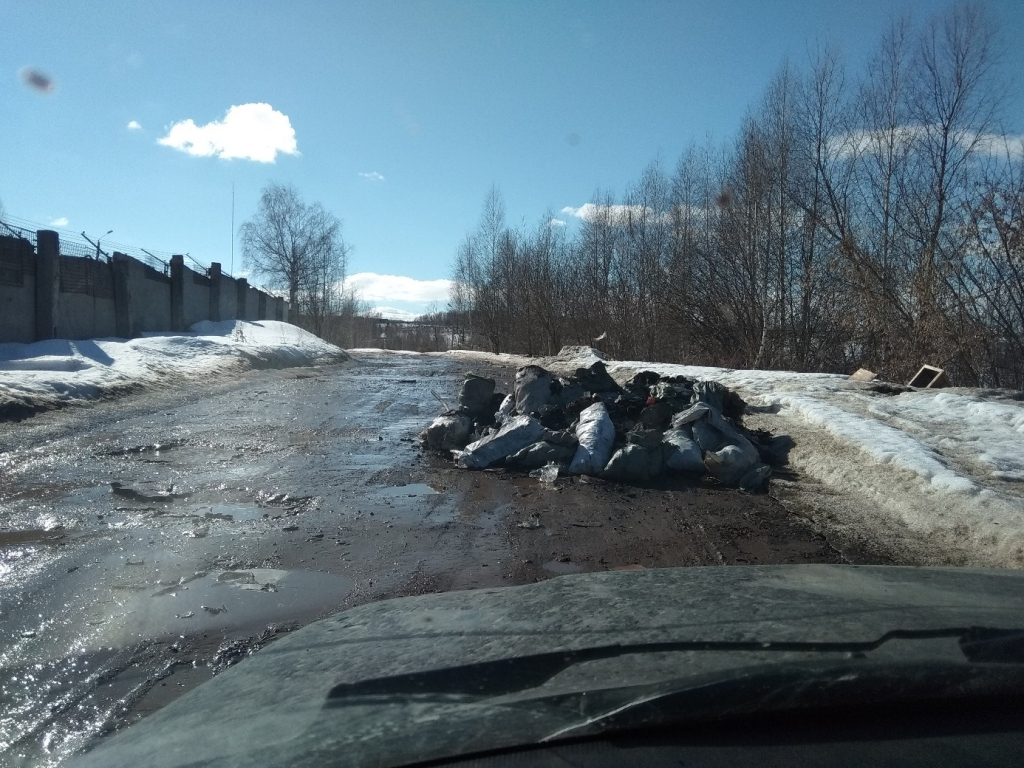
47	295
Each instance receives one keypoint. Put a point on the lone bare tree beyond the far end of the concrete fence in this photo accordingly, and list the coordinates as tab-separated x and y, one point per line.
297	247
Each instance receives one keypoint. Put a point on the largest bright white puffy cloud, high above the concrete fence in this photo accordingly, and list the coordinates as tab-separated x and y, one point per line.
255	132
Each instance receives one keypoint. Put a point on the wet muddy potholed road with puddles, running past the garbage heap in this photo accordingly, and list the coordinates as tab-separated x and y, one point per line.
149	543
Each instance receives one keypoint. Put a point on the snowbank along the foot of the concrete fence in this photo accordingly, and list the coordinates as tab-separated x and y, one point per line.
54	374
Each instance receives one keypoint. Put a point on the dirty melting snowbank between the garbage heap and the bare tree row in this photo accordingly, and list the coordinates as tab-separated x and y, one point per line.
947	464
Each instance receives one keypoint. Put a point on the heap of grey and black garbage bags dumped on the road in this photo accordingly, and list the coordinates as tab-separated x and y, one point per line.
587	424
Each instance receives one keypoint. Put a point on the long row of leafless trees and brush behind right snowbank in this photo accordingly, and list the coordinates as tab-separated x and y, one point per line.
855	222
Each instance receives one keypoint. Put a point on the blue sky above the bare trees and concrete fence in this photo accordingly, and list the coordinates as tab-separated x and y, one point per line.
402	114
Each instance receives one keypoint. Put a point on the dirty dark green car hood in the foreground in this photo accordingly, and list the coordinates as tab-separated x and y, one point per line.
388	684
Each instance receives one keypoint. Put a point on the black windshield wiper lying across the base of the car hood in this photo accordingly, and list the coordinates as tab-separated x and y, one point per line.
502	677
